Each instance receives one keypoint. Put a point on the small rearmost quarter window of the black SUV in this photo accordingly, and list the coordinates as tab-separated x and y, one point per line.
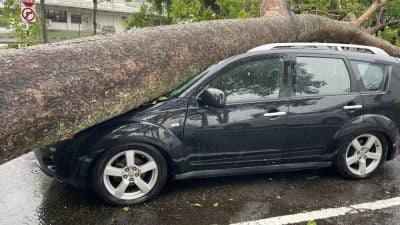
372	75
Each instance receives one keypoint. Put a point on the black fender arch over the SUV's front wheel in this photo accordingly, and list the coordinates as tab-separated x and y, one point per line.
129	132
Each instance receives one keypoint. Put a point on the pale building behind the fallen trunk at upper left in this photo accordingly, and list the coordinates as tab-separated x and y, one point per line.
68	19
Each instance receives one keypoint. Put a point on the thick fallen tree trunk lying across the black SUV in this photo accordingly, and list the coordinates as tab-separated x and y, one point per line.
52	91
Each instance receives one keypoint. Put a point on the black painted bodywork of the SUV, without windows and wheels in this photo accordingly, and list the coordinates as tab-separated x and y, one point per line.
200	141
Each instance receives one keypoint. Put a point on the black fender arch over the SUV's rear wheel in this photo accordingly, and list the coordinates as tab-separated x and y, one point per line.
371	122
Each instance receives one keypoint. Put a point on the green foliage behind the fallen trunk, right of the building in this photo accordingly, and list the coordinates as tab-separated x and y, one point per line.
158	12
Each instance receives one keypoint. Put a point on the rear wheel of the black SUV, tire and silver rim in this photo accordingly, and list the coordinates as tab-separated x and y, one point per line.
361	155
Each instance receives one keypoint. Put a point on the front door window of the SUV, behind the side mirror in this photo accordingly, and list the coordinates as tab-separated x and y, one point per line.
252	80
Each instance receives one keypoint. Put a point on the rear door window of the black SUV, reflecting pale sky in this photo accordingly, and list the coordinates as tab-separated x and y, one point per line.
321	76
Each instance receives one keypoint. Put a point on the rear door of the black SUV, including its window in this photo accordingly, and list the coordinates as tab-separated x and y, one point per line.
324	98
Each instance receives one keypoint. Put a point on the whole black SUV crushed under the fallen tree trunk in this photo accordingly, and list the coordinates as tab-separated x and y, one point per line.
279	107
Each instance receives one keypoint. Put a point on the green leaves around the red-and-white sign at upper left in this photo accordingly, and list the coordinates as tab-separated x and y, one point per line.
11	17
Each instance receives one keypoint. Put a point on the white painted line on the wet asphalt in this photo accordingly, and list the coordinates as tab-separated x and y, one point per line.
325	213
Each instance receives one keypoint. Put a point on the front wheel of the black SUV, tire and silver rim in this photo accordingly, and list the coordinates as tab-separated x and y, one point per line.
129	174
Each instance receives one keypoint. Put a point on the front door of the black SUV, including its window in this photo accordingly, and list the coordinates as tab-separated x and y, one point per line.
250	129
